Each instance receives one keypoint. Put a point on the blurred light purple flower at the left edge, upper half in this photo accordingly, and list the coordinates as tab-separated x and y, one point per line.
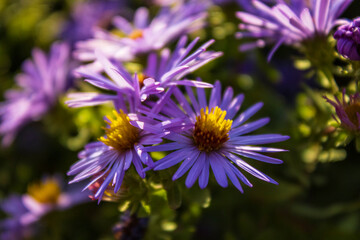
43	79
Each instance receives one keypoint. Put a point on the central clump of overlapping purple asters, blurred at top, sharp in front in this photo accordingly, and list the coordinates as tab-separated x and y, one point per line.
150	109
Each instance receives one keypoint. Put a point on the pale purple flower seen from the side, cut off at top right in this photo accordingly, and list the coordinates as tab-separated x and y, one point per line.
289	24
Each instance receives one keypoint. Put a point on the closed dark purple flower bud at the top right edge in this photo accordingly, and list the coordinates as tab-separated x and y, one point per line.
348	40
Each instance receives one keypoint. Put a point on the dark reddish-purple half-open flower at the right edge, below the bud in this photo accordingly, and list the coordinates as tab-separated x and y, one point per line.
348	113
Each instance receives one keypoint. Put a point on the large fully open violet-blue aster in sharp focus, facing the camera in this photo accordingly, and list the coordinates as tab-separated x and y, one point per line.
208	134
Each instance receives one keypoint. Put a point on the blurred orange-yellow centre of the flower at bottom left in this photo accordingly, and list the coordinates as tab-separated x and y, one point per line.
45	192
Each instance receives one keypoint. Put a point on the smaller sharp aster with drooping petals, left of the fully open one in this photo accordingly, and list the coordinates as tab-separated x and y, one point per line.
107	160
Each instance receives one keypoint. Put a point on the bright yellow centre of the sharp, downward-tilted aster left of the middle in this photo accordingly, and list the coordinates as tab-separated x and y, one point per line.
120	135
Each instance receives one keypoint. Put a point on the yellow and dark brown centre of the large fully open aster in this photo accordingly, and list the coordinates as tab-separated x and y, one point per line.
211	129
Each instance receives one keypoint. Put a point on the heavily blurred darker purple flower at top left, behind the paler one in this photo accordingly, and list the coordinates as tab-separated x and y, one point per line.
87	15
